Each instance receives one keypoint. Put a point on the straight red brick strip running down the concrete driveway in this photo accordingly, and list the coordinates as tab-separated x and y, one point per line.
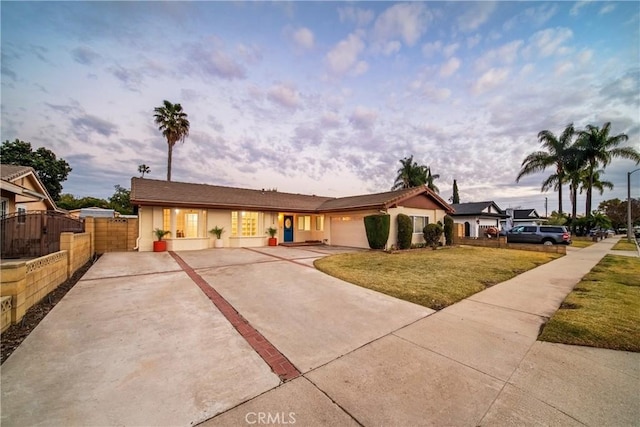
276	360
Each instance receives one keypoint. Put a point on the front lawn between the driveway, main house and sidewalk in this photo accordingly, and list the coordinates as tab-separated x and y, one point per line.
435	279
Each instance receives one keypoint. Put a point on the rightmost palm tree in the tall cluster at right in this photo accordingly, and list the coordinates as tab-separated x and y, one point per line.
599	149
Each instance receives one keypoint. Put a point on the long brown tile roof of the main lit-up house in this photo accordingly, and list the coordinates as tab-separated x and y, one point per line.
157	192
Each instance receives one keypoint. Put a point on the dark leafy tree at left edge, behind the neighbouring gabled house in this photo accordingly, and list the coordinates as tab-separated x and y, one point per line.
50	170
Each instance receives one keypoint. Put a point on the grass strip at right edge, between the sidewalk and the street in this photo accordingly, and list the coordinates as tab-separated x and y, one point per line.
603	310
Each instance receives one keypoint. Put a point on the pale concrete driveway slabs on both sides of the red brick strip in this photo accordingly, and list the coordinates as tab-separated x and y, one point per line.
136	342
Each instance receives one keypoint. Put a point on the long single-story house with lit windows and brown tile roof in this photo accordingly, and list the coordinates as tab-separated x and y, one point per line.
189	210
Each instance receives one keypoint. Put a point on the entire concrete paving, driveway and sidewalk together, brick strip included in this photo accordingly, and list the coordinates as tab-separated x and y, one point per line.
208	337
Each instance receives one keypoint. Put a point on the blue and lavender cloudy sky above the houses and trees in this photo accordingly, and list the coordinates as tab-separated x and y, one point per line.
320	97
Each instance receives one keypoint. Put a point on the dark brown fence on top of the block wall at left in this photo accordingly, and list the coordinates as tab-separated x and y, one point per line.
35	233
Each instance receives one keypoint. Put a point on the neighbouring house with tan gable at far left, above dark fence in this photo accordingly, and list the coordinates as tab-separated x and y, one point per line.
21	190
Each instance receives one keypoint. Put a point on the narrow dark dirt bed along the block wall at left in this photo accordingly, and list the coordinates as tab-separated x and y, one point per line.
13	337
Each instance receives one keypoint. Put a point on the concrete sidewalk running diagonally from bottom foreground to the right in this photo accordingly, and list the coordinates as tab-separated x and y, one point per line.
474	363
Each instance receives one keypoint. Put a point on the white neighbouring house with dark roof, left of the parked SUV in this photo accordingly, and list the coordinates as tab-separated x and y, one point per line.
478	217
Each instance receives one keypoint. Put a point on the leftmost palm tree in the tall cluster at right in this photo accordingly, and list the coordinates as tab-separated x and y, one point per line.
556	154
